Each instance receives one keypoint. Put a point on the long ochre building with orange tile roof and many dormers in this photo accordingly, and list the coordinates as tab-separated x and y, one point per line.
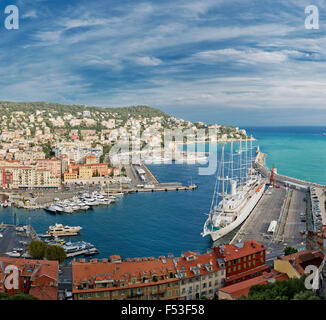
131	279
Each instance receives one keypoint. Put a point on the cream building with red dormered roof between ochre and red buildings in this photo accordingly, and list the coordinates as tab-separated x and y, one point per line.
200	274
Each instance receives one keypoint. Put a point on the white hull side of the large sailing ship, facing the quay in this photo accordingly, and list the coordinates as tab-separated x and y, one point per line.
245	212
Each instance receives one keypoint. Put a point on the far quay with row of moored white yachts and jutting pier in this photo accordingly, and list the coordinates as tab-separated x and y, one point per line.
71	198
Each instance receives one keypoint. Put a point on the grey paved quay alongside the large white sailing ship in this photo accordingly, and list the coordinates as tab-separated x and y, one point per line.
285	204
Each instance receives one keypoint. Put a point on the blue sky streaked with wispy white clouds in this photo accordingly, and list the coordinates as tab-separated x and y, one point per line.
236	62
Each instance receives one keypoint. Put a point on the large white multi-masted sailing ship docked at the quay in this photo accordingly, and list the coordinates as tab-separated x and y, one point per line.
235	196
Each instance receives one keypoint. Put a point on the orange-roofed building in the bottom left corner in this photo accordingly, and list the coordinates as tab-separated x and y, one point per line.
38	278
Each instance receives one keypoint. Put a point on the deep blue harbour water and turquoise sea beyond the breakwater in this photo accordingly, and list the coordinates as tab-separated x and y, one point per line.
159	223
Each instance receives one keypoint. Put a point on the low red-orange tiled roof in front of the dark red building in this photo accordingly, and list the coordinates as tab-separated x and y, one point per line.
242	288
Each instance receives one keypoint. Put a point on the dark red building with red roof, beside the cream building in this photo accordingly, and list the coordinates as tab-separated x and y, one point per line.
242	260
